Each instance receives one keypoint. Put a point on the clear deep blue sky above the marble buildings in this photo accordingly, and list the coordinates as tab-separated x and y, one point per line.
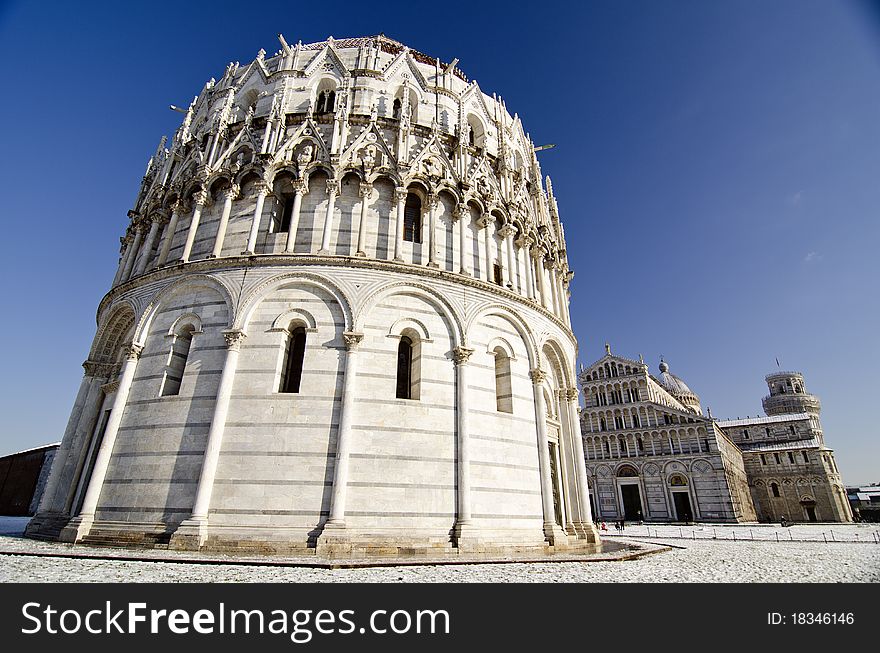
717	168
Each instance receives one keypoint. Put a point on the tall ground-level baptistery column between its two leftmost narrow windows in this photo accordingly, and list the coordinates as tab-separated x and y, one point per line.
192	533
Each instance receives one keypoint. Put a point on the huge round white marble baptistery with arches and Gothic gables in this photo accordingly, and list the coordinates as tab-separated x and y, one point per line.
339	325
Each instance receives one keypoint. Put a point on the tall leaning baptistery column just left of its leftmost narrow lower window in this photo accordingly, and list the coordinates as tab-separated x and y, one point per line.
79	527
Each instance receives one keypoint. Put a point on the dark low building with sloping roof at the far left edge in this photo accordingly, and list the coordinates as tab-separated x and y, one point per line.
22	479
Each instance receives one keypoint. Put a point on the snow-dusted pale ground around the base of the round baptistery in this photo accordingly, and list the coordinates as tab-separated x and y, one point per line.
697	560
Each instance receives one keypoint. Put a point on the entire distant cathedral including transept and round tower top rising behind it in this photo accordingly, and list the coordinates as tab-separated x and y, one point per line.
653	455
